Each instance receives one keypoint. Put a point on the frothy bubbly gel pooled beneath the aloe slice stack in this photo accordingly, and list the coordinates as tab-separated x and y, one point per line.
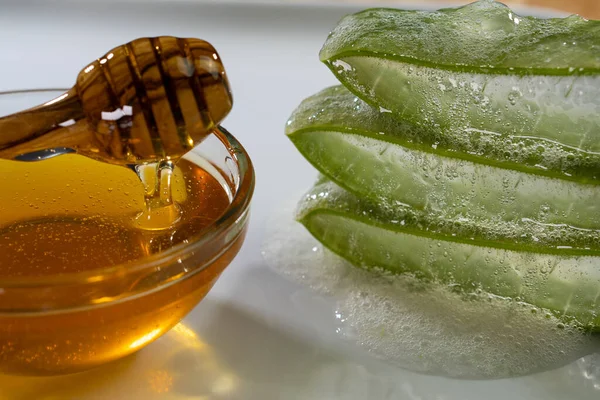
425	328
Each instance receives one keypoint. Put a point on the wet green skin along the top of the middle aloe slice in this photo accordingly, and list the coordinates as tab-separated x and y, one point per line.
336	107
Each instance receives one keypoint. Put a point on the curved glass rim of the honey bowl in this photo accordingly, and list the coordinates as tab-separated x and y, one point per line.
236	210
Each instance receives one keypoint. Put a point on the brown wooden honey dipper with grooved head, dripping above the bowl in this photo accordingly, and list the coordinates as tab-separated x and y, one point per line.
148	100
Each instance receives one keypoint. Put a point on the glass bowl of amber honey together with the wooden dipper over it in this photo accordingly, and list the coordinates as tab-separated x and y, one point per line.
111	231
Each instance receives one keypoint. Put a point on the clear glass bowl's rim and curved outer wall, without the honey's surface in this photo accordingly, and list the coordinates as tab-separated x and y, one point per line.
69	322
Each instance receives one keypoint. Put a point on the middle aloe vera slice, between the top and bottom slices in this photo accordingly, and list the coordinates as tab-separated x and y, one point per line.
375	156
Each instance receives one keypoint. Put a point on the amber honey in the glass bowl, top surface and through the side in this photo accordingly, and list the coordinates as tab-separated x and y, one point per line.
72	214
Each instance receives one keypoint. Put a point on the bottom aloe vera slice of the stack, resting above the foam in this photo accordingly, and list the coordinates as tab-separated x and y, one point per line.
364	234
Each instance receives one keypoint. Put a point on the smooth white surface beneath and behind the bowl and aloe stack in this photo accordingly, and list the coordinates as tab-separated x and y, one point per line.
256	336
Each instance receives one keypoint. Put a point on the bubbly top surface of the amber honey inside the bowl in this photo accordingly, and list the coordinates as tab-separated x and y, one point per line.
71	214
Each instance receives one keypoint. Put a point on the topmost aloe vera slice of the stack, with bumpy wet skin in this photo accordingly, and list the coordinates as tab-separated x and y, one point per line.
476	70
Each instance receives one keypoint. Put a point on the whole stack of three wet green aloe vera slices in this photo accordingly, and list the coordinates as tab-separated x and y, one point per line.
463	148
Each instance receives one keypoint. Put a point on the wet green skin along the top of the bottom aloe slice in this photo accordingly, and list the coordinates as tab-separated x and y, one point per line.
523	235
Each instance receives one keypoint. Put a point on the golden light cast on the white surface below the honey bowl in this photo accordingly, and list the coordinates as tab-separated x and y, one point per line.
178	366
